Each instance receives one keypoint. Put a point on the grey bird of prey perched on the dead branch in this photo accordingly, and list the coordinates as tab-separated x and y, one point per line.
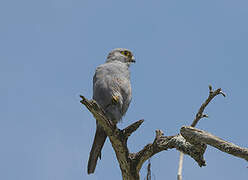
112	91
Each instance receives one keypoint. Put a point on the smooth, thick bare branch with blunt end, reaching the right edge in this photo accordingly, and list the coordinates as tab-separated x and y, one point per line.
194	135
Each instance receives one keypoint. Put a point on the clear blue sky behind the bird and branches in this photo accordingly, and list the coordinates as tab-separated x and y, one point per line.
49	50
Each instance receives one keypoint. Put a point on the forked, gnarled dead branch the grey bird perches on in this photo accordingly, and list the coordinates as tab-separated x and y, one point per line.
131	163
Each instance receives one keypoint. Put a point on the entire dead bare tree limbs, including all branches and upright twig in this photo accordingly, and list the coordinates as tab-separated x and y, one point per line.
191	141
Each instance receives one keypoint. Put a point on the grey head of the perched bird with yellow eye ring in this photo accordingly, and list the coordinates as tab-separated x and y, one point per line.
121	54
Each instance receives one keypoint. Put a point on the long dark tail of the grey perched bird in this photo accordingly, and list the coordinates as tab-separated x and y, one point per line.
100	137
